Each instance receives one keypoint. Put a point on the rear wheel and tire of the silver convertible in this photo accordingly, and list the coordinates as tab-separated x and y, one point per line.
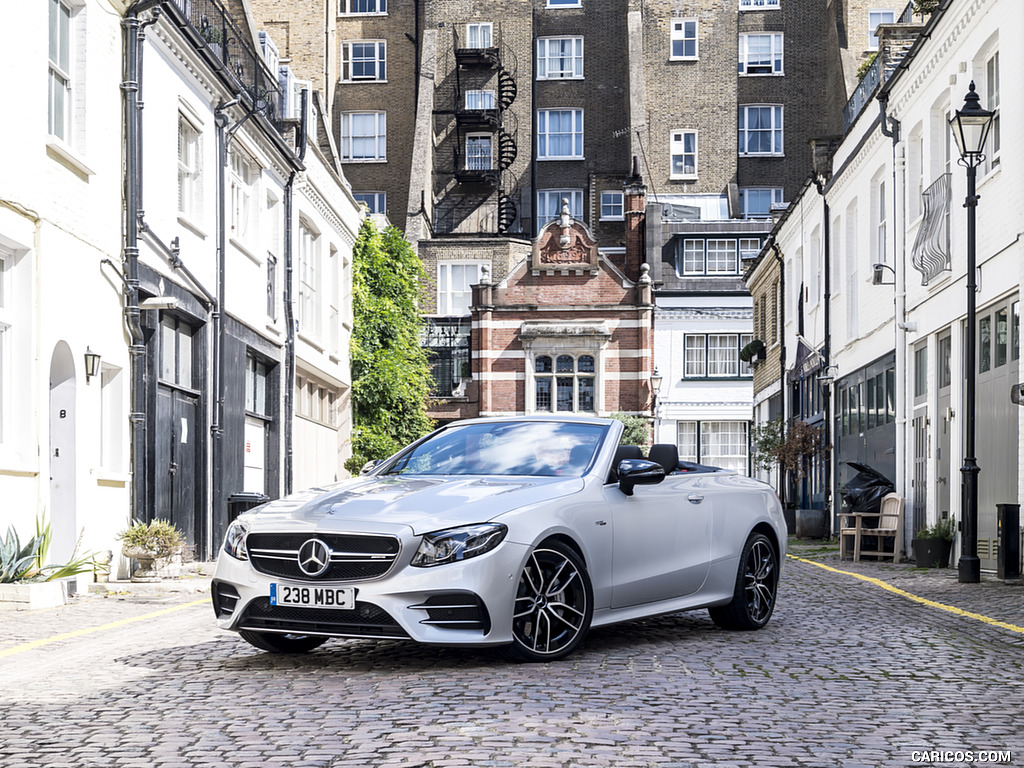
757	586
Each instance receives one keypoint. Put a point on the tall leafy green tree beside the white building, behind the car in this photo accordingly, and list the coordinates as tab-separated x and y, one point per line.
391	373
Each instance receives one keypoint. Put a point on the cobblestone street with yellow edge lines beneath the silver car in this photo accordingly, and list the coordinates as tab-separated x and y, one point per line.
849	673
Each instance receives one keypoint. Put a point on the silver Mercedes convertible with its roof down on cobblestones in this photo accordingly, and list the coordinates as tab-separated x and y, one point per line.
519	533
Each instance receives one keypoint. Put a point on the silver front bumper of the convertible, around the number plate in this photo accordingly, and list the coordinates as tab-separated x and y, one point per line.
462	604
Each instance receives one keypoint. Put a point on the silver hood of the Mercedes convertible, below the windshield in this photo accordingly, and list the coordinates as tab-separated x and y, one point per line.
422	503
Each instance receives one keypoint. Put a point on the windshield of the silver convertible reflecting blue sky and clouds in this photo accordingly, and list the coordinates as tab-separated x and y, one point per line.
539	448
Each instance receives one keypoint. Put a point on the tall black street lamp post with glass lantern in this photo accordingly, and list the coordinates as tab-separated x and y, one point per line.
970	127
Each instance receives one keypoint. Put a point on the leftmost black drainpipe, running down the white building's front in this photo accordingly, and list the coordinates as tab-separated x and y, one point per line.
133	197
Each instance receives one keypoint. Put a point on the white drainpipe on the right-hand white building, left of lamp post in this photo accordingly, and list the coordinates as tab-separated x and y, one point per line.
891	130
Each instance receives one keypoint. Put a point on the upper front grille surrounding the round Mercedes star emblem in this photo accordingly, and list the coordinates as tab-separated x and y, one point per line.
354	557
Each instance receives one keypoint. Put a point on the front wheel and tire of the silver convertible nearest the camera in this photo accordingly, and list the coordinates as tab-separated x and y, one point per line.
554	605
